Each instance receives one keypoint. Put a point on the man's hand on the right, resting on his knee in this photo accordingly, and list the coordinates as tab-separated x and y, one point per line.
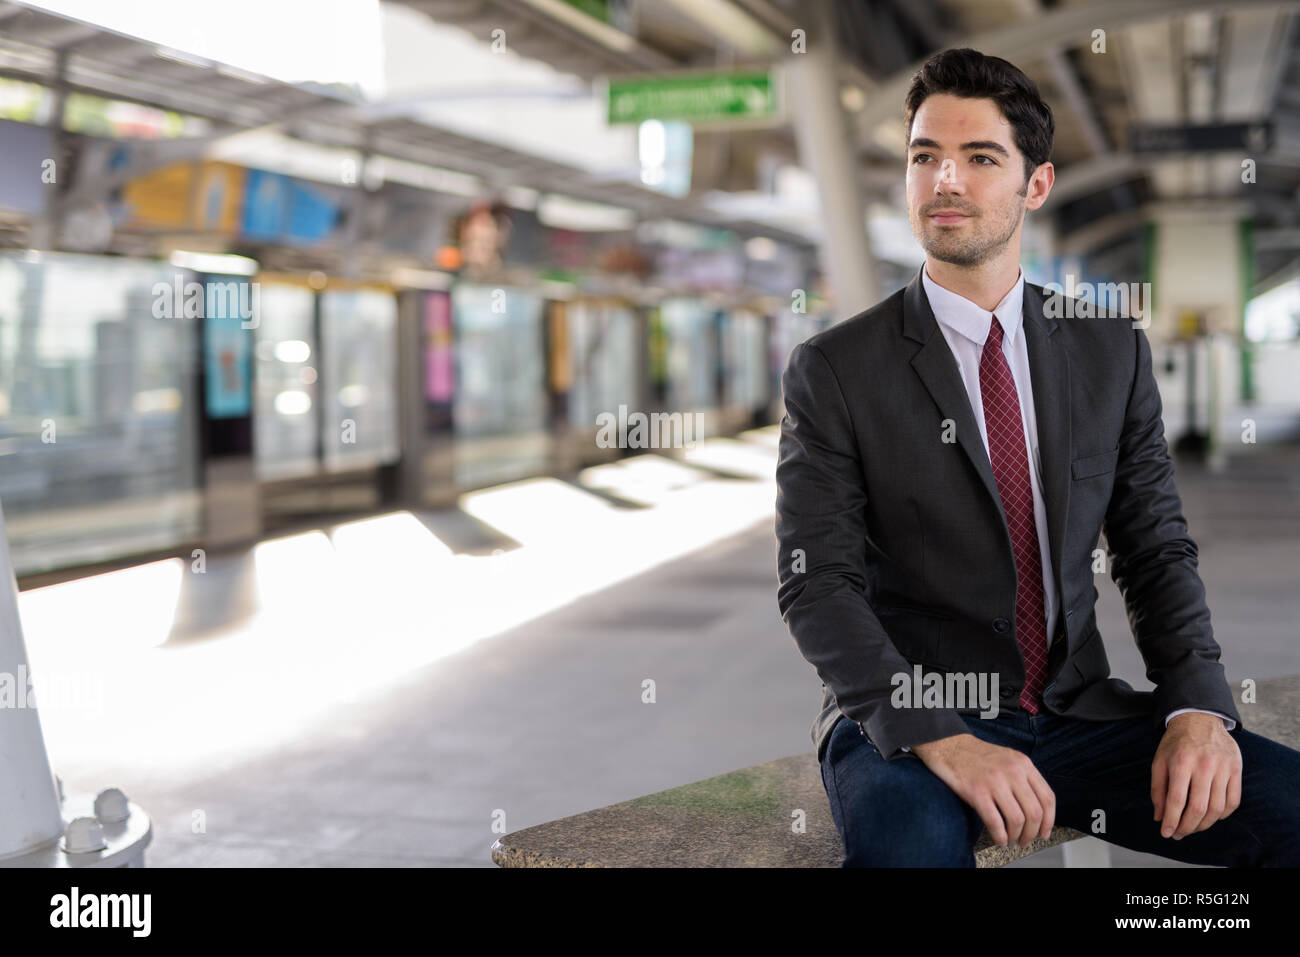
1197	776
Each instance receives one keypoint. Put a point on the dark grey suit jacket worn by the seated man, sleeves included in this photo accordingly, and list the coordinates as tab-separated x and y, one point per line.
894	548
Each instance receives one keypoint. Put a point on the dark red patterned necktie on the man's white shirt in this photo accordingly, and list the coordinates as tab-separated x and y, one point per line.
1012	471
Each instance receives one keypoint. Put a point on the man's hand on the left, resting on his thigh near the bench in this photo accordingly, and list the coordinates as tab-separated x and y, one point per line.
1000	783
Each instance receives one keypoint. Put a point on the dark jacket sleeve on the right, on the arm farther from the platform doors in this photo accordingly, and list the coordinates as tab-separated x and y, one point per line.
1154	561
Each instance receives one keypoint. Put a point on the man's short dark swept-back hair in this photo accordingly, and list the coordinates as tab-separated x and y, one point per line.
969	73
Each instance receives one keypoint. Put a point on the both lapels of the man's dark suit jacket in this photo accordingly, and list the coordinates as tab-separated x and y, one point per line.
1050	373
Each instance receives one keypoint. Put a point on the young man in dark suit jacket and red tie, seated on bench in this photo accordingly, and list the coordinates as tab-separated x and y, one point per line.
948	461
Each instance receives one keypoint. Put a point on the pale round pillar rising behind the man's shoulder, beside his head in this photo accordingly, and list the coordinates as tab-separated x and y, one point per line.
827	150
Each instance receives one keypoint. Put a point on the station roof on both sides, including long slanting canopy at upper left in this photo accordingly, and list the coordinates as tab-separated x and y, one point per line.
1164	63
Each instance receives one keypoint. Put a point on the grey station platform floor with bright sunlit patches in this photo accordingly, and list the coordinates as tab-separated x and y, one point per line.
383	692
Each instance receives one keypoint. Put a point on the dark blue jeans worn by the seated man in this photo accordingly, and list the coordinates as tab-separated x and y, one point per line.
900	815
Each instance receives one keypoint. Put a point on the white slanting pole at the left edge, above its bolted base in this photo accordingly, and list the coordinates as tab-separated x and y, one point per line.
31	815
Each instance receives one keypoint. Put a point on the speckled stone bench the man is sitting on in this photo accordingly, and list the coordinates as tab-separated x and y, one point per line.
748	819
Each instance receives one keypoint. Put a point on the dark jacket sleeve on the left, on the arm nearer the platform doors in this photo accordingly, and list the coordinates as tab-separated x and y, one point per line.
821	531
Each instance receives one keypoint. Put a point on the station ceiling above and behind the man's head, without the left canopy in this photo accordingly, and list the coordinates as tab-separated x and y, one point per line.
1160	63
